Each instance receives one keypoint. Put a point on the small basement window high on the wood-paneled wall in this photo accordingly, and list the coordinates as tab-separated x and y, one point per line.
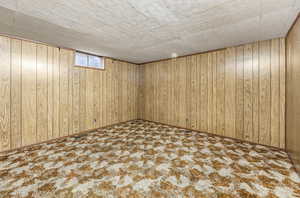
87	60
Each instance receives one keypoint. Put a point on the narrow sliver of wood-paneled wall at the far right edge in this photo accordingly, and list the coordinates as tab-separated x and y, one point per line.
293	94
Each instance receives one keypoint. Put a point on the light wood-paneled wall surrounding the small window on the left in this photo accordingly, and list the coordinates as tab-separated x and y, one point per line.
44	97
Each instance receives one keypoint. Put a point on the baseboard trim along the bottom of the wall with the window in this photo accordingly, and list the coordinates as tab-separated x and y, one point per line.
5	152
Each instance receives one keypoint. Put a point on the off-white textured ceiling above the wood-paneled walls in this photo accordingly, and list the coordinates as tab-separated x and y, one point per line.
146	30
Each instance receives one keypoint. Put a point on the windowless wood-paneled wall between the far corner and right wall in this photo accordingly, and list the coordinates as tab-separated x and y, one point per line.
237	92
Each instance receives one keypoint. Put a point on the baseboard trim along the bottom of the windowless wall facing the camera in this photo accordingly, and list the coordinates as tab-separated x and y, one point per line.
222	136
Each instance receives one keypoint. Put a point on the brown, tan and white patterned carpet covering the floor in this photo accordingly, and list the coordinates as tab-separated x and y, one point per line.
144	159
